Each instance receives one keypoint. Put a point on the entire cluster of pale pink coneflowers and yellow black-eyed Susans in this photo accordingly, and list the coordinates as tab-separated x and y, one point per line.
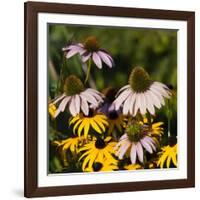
112	130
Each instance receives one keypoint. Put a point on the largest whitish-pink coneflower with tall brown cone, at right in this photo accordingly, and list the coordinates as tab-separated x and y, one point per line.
141	94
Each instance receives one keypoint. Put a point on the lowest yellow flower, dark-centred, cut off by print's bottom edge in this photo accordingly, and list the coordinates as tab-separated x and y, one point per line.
101	166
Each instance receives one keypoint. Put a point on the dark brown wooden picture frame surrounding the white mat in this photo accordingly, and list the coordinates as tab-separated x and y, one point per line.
31	188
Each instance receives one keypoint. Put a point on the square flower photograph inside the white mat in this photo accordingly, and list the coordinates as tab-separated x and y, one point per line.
112	99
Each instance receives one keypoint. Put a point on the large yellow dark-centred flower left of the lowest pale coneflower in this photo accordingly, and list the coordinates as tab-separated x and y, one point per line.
97	150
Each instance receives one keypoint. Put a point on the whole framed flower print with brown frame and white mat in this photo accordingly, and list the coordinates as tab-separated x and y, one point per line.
109	99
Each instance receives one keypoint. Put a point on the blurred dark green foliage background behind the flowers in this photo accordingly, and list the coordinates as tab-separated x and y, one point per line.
153	49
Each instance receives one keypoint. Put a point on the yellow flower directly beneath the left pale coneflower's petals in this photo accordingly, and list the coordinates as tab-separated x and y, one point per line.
83	123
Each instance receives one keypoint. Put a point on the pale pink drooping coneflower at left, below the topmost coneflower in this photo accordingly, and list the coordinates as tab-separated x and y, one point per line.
77	97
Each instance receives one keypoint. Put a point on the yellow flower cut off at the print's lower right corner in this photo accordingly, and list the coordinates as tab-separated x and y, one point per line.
168	154
